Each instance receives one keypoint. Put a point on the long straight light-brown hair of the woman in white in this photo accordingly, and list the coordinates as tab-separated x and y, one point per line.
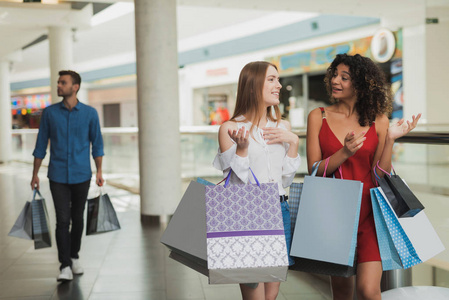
250	103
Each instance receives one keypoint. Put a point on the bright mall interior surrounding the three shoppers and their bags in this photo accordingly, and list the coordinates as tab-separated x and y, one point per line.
162	75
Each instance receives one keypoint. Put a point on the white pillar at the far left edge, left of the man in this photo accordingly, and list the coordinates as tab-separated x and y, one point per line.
5	113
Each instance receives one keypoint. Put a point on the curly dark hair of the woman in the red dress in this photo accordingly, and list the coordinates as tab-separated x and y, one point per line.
374	96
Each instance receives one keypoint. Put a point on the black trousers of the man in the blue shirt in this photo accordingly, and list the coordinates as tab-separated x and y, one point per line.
69	200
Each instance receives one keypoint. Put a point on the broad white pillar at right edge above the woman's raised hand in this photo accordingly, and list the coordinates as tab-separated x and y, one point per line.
425	76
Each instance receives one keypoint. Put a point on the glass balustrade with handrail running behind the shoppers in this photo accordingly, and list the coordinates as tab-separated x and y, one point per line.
421	159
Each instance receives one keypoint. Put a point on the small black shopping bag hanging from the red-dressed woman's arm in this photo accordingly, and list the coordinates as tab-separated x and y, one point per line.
404	202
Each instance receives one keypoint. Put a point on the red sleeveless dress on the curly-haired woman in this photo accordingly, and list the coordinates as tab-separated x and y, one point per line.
357	167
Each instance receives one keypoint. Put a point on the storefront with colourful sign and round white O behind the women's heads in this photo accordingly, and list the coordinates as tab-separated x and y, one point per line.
302	73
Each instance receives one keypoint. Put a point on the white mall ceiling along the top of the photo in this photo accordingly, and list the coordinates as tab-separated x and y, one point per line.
199	22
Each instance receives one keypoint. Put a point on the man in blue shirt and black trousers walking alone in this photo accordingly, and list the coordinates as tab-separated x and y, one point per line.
71	127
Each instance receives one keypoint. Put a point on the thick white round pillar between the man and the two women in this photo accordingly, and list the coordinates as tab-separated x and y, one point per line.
158	107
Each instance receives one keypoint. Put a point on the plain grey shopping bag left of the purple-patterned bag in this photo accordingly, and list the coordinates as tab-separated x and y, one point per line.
185	234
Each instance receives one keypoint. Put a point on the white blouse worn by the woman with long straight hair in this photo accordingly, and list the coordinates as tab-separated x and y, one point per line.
269	163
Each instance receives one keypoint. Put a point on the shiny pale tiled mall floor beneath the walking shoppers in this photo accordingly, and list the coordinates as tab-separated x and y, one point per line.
125	264
